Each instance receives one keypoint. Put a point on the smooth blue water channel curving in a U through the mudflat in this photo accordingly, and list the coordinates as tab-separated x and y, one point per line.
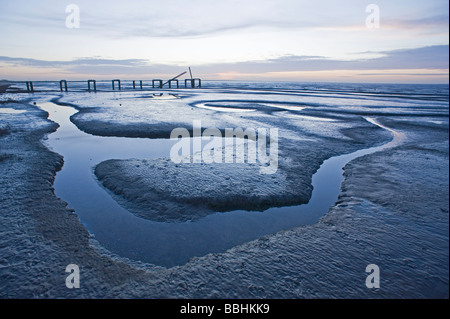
161	243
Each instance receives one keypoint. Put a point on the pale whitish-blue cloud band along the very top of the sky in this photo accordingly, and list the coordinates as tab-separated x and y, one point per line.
180	18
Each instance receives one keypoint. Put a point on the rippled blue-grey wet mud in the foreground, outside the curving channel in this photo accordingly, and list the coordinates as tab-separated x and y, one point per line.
393	211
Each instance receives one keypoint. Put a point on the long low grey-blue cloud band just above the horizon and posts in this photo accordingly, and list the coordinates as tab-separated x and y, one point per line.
432	57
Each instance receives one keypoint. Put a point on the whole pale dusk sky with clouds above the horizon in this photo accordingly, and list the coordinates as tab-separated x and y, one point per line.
284	40
